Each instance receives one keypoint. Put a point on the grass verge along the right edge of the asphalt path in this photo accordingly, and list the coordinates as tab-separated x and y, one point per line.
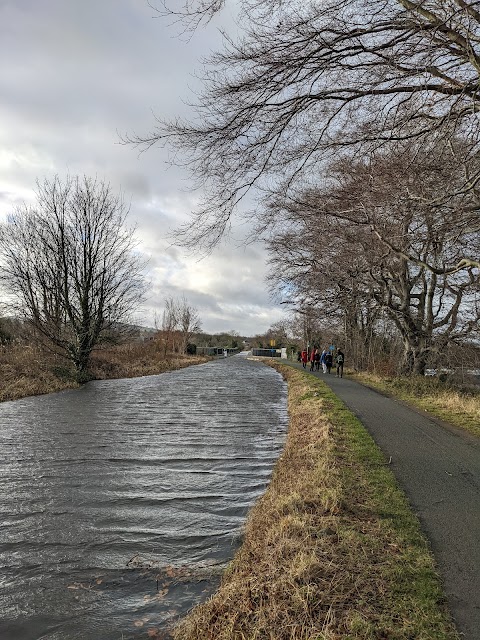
447	400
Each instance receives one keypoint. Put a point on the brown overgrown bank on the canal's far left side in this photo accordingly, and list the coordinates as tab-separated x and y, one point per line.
27	370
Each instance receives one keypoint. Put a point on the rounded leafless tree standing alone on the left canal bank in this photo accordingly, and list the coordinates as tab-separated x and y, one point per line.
69	265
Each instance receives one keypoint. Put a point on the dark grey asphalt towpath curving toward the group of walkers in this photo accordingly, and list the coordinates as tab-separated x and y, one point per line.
438	467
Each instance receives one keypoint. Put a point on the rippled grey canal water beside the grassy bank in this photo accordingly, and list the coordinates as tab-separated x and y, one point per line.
121	501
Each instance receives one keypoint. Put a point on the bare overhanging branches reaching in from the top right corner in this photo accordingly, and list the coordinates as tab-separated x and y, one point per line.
308	79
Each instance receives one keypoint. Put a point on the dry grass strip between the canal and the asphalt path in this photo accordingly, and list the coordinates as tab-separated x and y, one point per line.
332	549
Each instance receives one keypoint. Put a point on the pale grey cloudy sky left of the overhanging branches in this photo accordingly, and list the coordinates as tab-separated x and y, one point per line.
76	74
